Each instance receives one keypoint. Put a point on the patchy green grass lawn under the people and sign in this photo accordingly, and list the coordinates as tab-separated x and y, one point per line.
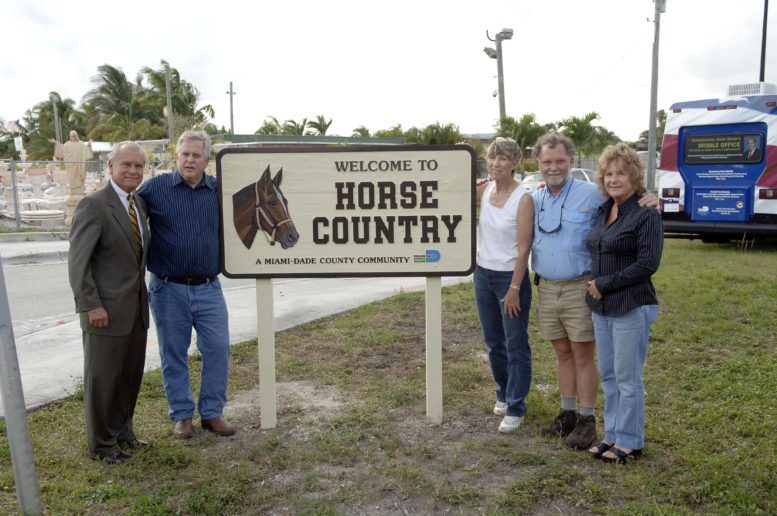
352	436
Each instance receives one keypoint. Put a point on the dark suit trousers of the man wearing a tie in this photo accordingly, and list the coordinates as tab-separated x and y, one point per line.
113	371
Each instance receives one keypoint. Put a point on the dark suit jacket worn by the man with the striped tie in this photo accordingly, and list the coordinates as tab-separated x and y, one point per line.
104	265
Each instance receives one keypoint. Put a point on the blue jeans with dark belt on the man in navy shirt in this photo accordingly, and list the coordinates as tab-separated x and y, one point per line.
177	309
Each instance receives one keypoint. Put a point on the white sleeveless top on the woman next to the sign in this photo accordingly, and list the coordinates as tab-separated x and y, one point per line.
498	231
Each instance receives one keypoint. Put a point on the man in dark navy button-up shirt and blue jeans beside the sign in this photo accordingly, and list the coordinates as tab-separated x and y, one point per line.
184	291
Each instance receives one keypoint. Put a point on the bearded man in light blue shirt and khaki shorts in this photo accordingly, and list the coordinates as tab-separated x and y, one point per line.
564	213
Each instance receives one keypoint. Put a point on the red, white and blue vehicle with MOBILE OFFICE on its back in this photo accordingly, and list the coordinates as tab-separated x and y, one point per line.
718	174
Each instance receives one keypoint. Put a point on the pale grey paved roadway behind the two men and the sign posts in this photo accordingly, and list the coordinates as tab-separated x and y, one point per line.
50	350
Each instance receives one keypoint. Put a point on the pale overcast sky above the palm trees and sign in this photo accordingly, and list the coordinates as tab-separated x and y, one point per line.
378	64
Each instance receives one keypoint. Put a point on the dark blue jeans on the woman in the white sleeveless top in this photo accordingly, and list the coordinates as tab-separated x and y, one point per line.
507	339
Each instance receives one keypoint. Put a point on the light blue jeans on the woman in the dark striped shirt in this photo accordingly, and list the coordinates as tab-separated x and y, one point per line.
621	344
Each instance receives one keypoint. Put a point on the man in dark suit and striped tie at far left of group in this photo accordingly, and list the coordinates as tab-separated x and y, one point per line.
106	264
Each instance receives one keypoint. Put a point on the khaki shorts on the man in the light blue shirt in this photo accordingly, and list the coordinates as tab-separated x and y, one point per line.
562	312
